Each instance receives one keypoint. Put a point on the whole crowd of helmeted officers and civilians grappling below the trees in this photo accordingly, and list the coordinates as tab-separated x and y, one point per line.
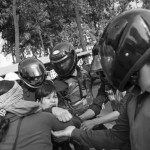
63	114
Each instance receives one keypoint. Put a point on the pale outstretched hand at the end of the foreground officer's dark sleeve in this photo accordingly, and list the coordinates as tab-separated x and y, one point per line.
66	132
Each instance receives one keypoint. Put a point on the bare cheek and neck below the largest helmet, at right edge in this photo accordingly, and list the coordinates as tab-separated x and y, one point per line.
144	78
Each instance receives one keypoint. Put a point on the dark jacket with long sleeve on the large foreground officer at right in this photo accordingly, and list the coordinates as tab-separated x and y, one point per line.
132	127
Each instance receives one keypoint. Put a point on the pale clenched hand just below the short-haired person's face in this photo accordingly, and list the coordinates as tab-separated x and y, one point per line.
62	114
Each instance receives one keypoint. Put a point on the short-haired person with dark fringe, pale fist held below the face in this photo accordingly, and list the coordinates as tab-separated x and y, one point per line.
47	97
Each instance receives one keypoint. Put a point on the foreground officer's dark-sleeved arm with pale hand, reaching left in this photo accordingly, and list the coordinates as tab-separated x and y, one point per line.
116	137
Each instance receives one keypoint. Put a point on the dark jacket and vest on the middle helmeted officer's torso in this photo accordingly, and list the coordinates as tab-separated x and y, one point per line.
77	88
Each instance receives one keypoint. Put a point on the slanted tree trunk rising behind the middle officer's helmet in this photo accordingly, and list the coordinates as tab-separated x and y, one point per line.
78	21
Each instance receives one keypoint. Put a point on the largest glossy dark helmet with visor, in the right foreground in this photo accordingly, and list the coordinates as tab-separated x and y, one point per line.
125	47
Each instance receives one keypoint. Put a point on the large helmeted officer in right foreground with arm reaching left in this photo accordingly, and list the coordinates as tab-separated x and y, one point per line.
125	57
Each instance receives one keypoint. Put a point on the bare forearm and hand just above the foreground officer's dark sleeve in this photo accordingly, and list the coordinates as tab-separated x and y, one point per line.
90	124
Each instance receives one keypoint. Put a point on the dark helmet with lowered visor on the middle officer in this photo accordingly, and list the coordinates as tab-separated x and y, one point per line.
63	59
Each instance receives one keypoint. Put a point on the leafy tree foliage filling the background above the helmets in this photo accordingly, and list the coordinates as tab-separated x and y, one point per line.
43	23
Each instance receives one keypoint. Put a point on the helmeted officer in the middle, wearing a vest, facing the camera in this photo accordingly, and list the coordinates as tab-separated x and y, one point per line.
76	95
